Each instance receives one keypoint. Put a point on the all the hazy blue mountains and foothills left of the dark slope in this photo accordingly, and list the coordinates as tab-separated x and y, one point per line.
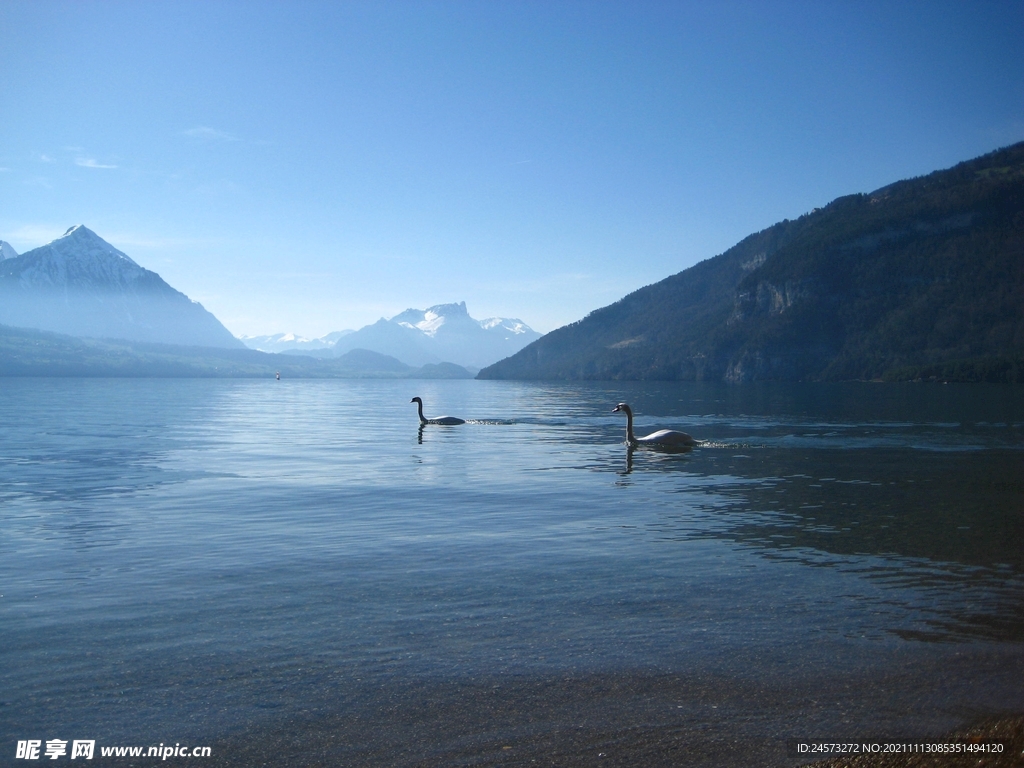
80	286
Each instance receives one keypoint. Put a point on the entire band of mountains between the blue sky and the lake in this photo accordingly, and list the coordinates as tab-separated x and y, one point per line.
922	279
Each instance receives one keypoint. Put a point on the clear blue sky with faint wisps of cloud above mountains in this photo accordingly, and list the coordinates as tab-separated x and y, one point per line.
310	167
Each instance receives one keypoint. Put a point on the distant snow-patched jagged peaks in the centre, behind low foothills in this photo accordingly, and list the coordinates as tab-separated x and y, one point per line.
418	337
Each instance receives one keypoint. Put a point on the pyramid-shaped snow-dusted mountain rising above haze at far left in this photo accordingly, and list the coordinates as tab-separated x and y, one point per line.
82	286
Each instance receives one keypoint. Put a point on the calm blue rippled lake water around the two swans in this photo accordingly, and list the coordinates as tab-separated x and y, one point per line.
294	574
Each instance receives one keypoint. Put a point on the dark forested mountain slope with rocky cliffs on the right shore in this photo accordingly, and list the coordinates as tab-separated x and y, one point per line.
923	277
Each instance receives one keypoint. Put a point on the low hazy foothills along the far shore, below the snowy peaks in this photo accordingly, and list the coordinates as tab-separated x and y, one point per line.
31	353
